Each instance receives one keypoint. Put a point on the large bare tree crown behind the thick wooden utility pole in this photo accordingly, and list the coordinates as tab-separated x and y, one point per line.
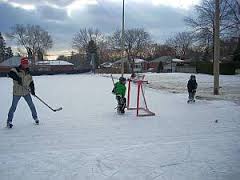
203	24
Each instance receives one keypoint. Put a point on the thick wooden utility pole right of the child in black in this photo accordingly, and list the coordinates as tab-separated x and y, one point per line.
216	48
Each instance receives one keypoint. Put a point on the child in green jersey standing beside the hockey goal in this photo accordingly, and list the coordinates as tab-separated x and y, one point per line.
120	90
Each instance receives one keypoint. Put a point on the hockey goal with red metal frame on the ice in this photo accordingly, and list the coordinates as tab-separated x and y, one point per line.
136	99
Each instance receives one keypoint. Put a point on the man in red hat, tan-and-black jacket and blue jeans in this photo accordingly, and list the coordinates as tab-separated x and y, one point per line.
23	85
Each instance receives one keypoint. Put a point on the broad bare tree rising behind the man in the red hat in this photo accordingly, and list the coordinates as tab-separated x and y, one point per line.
33	38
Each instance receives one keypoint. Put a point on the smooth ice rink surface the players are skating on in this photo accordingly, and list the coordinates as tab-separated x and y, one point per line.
88	140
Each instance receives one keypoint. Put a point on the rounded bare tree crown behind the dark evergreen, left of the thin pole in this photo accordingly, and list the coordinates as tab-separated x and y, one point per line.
84	36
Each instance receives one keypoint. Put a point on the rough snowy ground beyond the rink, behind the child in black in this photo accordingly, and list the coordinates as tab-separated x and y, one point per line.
177	83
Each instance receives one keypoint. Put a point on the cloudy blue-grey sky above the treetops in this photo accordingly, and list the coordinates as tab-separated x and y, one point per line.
63	18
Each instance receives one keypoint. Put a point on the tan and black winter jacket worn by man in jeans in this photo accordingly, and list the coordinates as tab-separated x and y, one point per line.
22	81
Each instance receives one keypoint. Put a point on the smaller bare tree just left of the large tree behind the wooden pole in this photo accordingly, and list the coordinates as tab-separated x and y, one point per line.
182	43
